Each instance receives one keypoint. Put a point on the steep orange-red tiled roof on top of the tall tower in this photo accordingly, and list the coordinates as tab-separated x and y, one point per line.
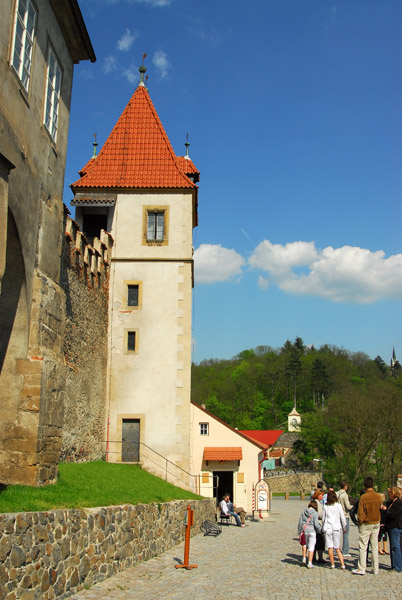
137	153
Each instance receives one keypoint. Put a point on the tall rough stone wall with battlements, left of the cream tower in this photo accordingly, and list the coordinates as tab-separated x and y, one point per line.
85	280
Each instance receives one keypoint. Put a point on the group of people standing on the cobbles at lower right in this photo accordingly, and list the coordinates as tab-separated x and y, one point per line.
327	519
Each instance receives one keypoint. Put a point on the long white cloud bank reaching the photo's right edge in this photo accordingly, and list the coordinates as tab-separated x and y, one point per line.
346	274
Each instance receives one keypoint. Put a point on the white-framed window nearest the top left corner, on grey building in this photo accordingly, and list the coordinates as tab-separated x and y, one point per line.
23	39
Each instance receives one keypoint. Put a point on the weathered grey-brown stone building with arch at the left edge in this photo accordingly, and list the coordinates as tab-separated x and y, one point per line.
40	41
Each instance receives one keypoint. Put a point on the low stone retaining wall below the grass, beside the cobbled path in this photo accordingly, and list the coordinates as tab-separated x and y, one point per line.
46	555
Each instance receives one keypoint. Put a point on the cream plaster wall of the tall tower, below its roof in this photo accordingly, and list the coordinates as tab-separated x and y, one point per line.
153	383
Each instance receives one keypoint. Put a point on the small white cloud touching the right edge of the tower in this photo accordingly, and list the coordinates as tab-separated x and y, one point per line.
213	263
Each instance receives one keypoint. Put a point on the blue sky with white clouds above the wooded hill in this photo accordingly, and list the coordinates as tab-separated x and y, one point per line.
293	110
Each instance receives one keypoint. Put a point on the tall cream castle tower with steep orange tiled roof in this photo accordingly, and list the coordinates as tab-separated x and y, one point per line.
146	197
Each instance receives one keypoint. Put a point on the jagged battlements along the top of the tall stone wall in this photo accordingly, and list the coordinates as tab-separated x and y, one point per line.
93	259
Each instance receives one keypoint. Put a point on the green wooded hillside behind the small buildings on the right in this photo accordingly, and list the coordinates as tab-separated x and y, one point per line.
351	405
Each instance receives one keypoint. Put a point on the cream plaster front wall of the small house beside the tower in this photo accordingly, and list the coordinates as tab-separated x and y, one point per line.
222	436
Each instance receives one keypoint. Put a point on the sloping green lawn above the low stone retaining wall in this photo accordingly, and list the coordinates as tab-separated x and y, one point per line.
92	484
